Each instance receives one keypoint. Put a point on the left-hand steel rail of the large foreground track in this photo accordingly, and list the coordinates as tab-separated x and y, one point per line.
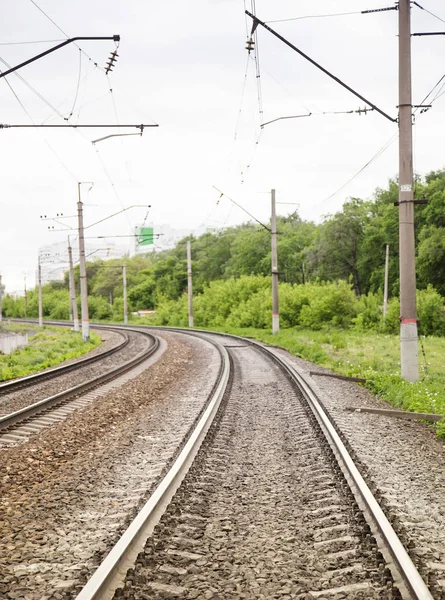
112	571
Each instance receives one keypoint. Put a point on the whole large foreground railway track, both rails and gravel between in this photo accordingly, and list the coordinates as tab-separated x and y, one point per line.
273	505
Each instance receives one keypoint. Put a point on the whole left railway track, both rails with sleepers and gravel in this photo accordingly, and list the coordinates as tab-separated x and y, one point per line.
27	408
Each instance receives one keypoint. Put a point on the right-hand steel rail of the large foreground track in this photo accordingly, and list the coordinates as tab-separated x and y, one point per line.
405	566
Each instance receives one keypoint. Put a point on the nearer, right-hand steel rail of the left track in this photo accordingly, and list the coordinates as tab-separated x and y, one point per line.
38	407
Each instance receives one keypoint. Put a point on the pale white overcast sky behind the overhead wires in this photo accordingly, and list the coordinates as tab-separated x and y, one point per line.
182	65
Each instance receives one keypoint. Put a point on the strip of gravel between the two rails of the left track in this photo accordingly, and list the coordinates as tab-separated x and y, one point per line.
10	402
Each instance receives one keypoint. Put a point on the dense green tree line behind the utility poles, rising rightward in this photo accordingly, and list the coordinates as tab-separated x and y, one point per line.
347	246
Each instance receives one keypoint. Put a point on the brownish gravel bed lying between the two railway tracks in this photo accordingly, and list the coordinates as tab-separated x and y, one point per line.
68	493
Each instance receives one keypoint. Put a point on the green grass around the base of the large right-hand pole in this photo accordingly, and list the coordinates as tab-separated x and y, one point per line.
373	356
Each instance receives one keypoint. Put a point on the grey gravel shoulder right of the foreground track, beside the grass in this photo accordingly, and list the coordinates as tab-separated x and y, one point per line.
403	461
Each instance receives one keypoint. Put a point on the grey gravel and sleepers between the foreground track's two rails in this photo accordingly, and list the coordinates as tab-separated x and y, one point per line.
262	514
